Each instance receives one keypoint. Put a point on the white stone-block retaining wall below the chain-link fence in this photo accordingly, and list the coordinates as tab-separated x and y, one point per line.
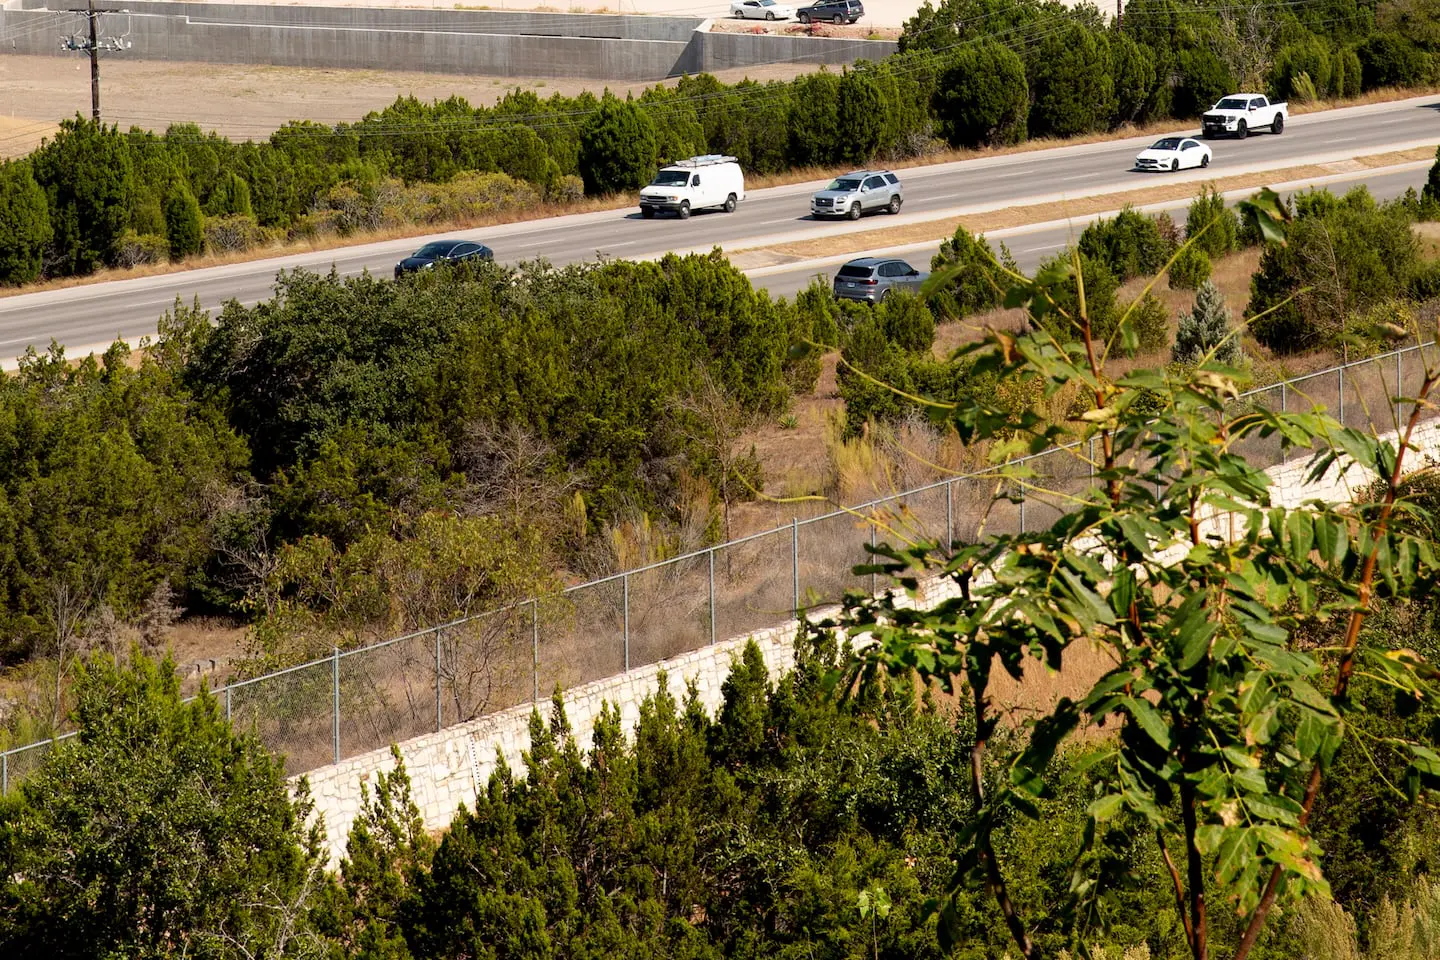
449	766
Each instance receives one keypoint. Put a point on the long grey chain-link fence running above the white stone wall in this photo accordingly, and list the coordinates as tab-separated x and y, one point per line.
355	702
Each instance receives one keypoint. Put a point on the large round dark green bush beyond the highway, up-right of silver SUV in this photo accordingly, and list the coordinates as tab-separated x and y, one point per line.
983	97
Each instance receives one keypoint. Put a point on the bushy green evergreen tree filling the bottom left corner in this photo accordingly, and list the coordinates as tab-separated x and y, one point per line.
156	833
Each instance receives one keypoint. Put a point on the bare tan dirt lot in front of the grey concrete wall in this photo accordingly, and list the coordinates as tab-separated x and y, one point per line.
247	101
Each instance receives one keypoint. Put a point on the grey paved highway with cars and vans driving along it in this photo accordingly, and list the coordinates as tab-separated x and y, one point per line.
87	317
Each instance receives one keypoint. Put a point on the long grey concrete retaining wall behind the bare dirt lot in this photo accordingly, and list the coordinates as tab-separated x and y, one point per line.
474	42
